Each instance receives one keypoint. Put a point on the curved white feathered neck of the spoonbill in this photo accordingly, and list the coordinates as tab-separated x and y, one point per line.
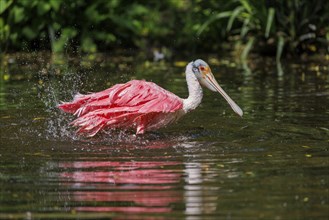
194	89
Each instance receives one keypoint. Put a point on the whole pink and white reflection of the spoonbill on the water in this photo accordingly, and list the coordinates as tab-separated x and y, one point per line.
135	184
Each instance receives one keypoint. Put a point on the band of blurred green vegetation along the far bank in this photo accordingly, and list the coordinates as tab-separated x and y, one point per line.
273	27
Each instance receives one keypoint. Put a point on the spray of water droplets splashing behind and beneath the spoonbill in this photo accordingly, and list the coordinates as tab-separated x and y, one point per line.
60	83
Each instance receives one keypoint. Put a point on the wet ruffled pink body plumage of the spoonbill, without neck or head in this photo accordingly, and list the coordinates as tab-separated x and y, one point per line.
137	104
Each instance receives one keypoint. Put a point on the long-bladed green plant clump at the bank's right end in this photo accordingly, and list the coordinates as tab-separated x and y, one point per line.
276	26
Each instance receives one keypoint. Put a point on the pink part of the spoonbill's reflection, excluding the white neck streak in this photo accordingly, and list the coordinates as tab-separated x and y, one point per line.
124	184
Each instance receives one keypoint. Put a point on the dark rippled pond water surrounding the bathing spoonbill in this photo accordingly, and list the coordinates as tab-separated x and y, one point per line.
270	164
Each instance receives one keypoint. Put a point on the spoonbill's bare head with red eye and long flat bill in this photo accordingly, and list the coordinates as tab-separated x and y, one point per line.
204	75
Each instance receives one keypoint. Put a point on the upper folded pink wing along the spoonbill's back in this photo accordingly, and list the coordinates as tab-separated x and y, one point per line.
136	96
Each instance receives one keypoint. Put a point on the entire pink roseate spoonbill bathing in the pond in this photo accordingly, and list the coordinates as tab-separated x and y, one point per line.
141	105
